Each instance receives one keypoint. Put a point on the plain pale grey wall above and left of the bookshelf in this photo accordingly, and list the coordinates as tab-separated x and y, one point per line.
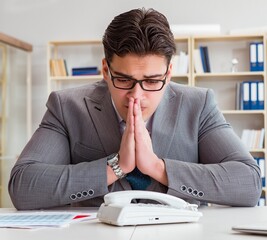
39	22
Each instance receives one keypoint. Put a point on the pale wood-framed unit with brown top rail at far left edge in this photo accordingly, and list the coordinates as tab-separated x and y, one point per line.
15	113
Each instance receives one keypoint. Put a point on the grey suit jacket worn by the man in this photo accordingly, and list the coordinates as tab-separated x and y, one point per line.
65	160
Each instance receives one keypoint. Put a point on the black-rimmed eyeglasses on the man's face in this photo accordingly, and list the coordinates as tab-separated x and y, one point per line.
135	81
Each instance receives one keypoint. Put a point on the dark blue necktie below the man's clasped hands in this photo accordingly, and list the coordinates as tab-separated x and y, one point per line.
137	179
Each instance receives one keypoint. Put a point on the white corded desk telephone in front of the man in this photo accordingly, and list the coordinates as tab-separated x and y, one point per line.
118	209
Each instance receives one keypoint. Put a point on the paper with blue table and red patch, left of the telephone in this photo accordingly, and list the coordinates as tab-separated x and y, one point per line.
30	220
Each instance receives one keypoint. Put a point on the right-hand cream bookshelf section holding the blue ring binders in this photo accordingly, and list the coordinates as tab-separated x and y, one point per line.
222	49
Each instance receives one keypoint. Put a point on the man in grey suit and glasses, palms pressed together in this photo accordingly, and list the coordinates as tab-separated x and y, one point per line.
175	140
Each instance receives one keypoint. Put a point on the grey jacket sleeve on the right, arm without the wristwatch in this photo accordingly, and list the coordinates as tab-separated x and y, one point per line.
225	172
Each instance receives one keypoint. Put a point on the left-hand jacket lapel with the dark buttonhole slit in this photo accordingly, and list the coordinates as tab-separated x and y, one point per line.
104	118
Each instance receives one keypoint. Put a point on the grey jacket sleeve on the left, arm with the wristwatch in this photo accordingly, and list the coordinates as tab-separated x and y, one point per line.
44	175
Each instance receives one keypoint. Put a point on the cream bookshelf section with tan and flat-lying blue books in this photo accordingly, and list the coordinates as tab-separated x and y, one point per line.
76	54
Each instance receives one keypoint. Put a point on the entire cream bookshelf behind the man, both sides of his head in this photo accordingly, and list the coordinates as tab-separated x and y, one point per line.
222	49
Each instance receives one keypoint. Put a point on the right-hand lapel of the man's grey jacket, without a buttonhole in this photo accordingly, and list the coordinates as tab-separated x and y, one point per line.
165	122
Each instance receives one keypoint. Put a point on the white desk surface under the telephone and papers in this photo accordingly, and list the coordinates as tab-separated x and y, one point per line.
216	223
